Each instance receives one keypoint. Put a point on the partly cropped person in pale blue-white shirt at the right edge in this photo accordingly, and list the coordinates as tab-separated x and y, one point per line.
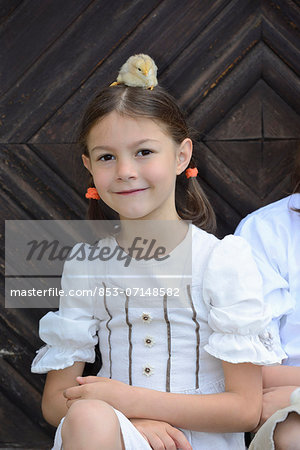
274	235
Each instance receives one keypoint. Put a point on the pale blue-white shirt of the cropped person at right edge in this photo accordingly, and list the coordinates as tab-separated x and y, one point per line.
274	235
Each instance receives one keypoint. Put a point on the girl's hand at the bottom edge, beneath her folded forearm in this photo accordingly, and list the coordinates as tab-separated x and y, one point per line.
161	435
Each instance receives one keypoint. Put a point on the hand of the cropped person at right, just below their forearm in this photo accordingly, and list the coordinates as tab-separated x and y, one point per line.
274	398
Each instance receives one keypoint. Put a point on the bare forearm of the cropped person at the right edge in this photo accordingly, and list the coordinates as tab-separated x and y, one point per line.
281	376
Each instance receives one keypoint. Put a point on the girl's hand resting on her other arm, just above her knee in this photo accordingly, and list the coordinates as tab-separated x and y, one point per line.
117	394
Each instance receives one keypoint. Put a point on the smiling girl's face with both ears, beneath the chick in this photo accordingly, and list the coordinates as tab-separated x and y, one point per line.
134	164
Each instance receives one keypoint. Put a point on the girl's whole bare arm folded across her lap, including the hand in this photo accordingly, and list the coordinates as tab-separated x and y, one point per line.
236	409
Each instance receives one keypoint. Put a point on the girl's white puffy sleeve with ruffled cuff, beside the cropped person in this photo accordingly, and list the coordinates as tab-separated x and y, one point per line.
238	316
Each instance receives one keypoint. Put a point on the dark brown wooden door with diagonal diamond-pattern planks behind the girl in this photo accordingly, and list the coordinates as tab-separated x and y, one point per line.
234	67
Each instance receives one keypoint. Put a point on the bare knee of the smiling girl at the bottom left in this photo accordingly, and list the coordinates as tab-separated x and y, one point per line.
93	425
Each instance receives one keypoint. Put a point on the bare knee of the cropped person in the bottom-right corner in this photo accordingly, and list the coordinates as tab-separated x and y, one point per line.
287	433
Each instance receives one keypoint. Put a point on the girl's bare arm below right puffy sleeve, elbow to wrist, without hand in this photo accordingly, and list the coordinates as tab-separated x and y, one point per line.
237	409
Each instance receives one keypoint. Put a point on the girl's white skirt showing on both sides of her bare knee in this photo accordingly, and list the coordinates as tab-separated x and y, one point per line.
133	439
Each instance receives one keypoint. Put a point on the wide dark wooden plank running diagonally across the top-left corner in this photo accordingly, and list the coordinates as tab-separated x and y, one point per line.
30	31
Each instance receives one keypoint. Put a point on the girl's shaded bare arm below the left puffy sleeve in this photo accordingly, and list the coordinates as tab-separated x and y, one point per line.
54	406
